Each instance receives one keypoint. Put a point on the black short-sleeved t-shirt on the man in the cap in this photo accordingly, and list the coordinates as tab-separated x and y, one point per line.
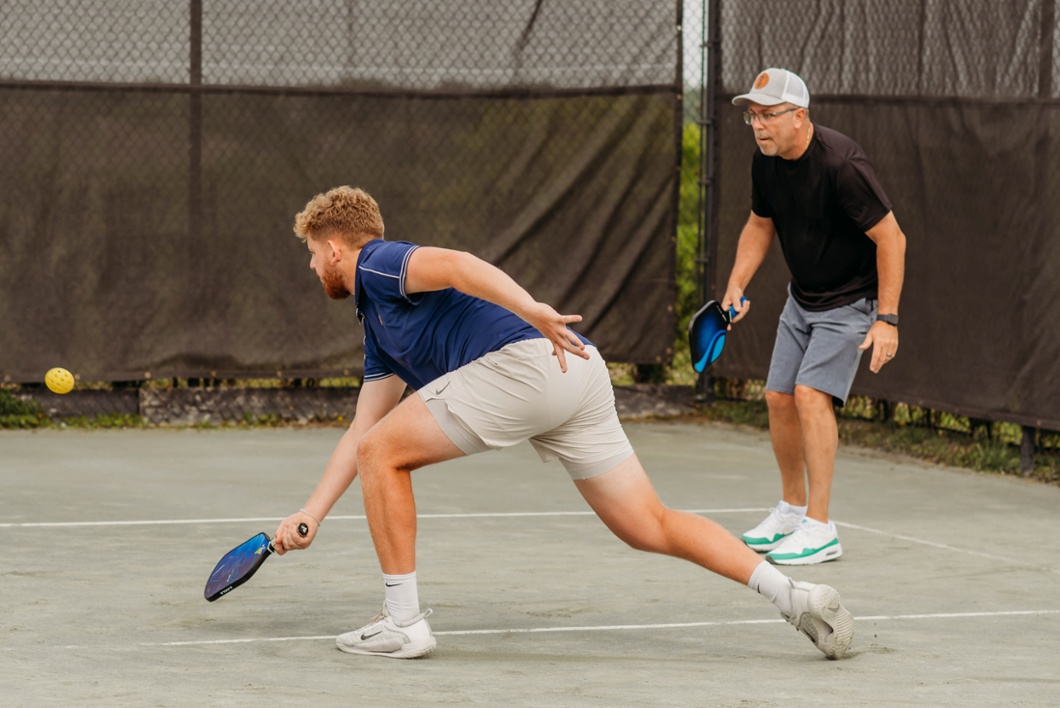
822	205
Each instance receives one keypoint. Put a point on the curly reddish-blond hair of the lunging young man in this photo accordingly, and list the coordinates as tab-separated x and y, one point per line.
347	213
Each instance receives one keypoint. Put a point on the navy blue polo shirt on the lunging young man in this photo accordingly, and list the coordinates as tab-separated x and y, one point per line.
425	335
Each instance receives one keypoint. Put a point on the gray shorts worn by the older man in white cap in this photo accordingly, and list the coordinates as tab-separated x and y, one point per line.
820	350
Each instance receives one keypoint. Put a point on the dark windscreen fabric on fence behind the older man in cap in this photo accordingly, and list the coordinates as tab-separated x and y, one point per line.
957	105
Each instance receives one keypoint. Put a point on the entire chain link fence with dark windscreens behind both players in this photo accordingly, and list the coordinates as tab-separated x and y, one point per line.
154	155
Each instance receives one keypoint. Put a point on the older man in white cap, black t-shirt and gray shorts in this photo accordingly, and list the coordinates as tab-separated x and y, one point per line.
816	190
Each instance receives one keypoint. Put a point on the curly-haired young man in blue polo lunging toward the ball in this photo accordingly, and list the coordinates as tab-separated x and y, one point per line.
491	367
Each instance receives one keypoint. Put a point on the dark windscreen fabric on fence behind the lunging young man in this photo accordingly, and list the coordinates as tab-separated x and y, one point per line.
147	203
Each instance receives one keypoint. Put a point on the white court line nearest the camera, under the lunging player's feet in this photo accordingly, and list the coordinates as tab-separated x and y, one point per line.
602	628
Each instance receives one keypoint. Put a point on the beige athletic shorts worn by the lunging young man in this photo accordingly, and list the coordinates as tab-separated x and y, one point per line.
519	394
